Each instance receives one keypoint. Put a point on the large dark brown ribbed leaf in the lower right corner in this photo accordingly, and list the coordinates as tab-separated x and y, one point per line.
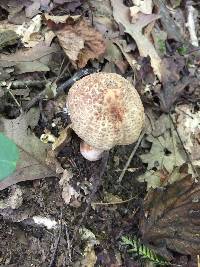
171	218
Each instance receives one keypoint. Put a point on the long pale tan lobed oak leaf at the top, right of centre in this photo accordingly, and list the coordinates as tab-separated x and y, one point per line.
146	48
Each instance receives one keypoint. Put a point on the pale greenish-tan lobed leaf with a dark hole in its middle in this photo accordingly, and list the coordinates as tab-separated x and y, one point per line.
166	154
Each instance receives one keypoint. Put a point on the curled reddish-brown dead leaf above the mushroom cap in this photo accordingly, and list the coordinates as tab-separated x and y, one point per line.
80	41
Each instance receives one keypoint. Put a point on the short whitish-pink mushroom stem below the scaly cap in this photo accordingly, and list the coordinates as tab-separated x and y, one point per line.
90	153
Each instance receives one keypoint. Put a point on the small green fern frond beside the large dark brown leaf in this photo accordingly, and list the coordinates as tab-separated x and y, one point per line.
143	251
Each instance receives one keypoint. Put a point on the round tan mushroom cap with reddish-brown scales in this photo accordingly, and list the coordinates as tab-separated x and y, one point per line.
105	110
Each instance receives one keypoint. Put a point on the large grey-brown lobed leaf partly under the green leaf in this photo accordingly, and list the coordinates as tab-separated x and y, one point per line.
32	151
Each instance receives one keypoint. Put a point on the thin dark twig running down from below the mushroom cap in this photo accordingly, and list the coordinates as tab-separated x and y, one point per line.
96	184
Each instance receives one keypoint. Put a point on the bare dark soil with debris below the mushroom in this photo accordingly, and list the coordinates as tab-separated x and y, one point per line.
24	243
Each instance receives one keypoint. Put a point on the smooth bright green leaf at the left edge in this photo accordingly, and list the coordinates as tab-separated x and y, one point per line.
9	155
